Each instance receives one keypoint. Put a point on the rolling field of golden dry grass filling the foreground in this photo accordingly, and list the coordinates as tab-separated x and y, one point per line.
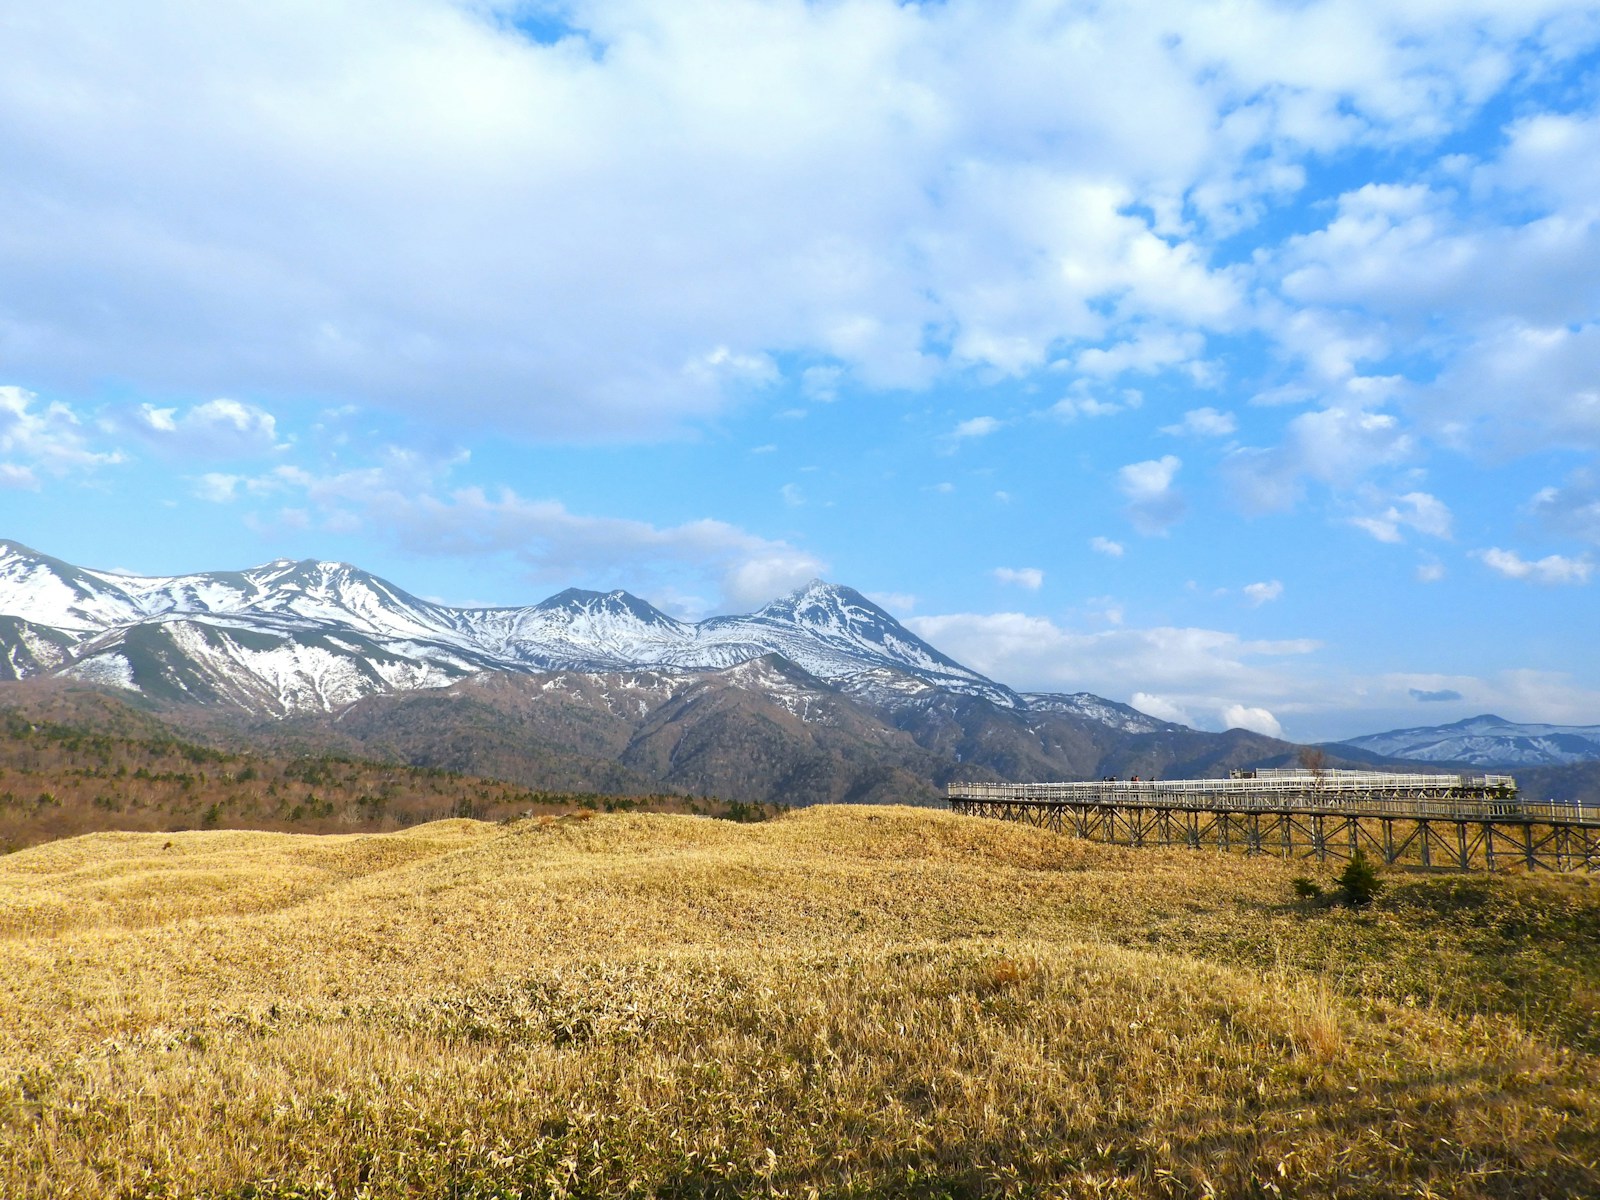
862	1002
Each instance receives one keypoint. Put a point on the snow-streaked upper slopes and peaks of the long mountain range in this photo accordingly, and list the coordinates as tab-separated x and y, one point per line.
314	636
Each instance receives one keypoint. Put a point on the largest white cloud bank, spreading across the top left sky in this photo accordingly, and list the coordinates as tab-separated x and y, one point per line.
414	201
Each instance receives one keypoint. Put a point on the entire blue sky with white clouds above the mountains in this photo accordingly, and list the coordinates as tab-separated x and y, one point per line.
1239	361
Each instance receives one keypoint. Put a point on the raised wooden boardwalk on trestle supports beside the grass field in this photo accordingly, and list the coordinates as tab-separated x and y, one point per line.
1458	822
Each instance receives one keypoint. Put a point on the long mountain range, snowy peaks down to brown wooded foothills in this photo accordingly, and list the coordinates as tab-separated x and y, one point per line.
817	697
